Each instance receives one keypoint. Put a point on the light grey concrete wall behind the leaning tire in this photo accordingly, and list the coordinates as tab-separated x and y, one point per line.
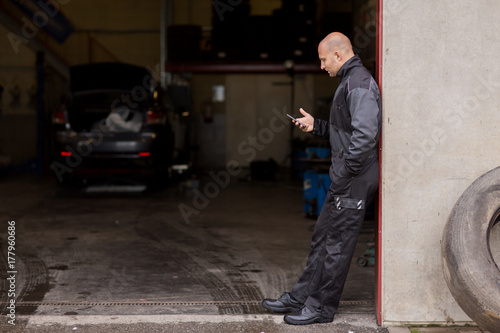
441	96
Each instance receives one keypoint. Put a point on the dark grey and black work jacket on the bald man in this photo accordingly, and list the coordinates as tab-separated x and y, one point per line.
355	118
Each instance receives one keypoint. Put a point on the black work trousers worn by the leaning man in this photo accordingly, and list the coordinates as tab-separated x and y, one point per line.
333	242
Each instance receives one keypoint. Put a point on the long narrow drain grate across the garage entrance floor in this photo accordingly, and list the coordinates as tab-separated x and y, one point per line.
146	303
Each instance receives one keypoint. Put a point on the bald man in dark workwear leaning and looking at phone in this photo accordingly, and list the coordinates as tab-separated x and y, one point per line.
353	132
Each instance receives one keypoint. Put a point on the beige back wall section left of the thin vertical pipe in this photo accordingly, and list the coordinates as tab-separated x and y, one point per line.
254	131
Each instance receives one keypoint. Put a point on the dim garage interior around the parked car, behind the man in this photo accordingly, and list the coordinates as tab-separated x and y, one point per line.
230	70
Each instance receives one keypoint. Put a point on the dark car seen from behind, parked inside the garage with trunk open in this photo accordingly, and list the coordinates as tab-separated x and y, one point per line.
113	124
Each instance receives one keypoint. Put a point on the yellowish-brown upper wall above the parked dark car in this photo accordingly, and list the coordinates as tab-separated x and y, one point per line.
126	30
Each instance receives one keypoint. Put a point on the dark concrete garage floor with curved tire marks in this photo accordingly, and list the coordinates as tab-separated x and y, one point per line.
121	256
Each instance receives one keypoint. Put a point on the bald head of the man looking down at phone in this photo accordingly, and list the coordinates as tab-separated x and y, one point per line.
334	50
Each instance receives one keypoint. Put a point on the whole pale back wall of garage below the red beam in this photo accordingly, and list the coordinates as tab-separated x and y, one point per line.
255	106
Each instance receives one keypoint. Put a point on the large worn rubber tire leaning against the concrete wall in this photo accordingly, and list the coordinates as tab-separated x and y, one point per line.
469	269
